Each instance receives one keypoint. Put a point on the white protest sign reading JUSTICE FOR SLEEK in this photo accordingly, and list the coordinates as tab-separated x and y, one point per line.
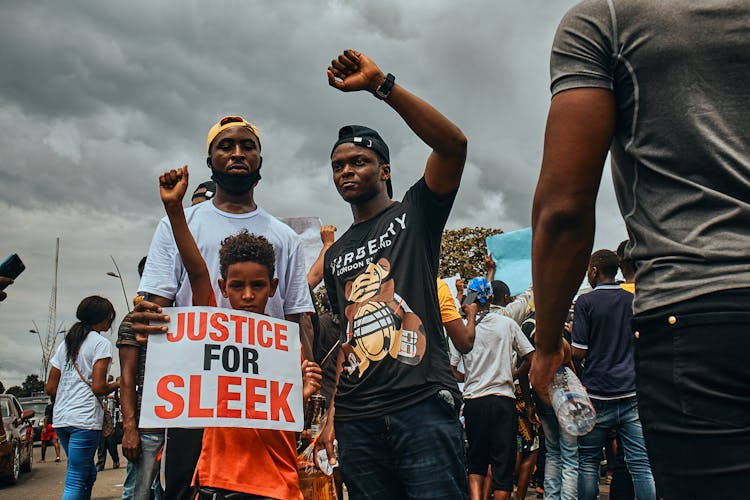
223	368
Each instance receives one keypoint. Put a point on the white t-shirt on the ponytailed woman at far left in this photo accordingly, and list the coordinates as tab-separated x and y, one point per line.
75	402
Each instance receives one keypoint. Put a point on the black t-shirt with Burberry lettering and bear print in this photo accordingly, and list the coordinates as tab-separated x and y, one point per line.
380	276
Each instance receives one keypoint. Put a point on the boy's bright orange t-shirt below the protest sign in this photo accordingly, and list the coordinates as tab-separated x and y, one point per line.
255	461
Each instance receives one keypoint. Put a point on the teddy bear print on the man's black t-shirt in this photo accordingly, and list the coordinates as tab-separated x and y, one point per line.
379	322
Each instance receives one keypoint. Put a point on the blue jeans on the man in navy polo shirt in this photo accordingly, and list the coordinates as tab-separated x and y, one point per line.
622	416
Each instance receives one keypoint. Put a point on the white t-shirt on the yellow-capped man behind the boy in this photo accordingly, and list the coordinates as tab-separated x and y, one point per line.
165	275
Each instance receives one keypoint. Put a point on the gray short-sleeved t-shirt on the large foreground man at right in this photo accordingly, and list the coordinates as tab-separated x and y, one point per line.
680	72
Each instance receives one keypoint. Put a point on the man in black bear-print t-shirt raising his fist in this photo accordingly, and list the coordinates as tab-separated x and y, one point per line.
396	401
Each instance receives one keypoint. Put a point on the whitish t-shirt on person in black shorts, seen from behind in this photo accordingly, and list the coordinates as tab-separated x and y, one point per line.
489	366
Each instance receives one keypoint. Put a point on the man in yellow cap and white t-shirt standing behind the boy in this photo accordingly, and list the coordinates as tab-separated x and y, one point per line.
233	146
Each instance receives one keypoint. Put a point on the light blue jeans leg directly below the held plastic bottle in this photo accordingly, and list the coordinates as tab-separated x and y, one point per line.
561	465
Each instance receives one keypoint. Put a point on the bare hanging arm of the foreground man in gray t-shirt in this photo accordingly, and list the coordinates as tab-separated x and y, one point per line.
579	130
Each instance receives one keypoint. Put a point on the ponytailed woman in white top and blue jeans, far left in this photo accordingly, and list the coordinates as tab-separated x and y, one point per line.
77	379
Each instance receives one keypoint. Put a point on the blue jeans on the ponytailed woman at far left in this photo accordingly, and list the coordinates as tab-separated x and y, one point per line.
80	446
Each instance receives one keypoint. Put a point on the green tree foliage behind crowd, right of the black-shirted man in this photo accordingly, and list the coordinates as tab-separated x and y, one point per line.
462	251
